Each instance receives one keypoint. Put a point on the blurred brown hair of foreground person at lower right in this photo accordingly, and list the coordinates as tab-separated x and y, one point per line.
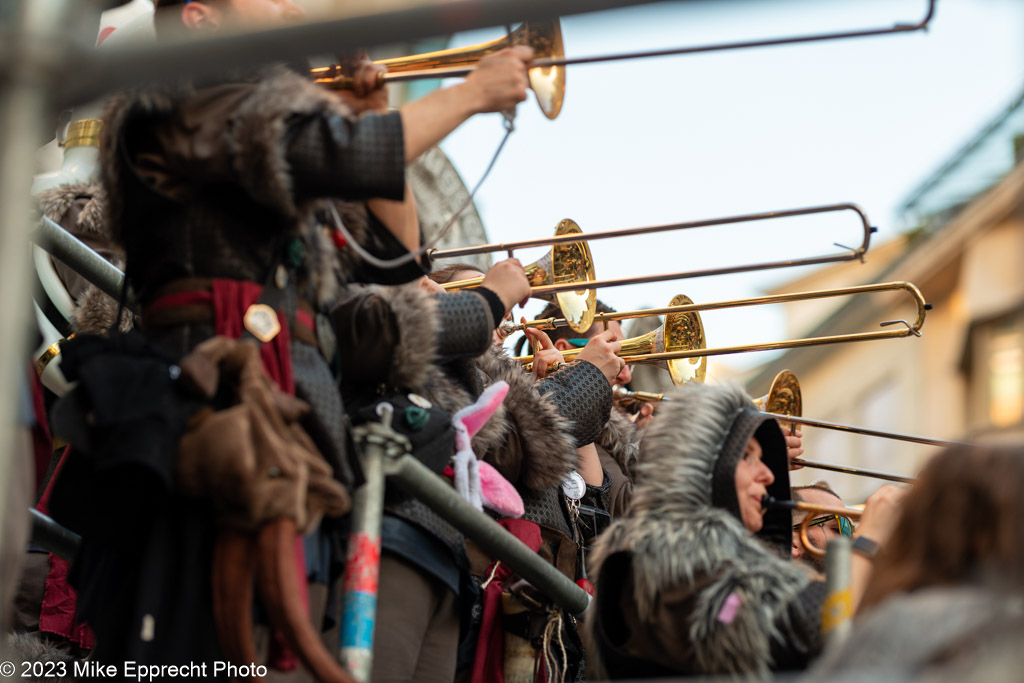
961	523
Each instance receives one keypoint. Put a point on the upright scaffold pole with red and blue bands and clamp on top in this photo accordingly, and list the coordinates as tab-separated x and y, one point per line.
377	441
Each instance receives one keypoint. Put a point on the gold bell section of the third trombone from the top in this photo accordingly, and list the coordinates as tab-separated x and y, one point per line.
682	332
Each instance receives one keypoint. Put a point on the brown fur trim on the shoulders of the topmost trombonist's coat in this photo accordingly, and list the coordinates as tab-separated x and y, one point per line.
253	143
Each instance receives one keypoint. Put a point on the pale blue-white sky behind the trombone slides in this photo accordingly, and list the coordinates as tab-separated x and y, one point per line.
687	138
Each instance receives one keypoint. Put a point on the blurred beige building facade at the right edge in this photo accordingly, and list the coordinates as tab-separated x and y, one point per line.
964	378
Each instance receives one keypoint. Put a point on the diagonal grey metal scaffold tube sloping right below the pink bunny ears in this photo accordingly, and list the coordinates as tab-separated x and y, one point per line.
428	487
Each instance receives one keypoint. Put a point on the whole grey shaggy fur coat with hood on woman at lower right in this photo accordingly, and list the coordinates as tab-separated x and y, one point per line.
694	575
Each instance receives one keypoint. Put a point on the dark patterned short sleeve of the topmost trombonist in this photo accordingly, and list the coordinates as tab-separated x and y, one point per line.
336	156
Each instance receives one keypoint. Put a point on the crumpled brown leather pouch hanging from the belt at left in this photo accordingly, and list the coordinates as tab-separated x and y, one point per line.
253	459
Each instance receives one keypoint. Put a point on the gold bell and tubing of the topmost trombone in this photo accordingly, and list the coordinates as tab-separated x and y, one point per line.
547	80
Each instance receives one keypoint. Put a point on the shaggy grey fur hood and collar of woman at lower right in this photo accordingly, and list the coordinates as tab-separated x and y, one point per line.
676	537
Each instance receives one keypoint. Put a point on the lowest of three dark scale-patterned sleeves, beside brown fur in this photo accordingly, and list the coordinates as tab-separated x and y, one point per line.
583	396
